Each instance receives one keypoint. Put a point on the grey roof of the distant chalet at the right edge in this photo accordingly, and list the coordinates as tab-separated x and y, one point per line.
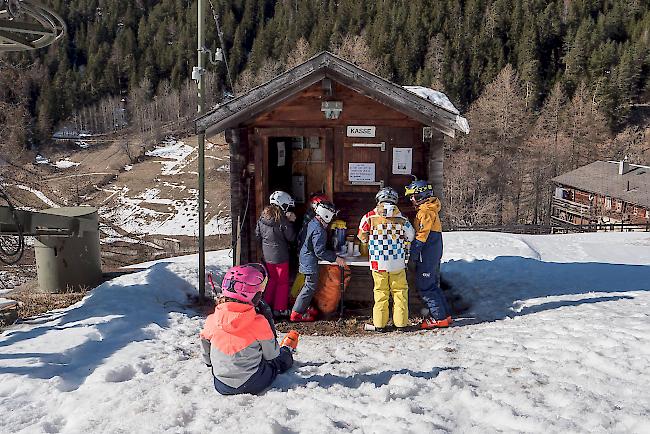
601	177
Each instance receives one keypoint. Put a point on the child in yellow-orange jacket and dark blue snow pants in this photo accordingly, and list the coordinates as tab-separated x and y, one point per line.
426	252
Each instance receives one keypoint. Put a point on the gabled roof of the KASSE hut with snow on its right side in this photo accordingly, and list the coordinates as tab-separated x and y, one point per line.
428	108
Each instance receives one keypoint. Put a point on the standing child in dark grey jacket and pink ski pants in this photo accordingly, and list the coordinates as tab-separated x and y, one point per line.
275	231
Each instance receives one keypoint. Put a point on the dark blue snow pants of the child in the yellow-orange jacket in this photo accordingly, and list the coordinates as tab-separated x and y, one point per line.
427	279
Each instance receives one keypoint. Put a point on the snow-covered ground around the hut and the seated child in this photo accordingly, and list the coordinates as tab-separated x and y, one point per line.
557	340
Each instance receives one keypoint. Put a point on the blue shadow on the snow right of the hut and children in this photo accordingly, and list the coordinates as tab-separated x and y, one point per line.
510	286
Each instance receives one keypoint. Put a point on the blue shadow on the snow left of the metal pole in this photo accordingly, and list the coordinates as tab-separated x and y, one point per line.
117	318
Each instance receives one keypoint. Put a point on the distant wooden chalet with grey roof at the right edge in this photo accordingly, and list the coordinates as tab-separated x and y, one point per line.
602	193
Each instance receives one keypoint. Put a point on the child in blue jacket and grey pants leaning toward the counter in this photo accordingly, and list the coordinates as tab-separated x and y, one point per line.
313	250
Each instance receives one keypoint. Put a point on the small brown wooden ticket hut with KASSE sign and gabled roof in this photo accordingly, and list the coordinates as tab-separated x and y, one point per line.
328	125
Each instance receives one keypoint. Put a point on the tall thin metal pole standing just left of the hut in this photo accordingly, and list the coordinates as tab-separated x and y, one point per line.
201	144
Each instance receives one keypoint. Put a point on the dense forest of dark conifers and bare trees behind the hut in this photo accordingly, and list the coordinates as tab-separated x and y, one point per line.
547	85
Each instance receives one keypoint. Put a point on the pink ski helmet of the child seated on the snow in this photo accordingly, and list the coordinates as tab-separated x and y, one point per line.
245	283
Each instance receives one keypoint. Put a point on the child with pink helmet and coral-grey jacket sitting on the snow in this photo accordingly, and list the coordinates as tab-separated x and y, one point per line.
238	343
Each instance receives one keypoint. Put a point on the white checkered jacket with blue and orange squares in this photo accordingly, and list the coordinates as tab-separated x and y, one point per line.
388	234
